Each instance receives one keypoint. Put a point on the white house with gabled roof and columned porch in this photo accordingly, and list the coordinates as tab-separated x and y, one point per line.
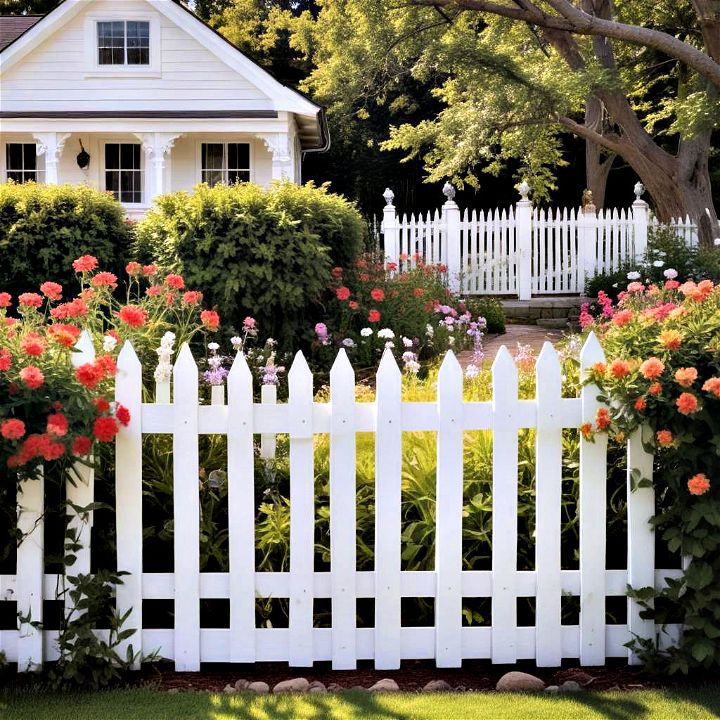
140	98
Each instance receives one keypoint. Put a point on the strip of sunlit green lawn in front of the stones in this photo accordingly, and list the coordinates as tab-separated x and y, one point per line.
691	704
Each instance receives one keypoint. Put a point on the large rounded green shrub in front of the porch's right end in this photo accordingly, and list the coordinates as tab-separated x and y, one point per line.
255	251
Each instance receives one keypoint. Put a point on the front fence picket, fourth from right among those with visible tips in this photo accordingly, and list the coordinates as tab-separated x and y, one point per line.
449	506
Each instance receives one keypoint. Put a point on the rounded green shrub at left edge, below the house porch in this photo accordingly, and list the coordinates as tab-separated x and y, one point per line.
41	226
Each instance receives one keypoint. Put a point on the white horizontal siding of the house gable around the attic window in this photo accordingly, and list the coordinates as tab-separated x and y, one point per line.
53	76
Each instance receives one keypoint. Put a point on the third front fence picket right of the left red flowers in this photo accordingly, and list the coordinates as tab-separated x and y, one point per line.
241	511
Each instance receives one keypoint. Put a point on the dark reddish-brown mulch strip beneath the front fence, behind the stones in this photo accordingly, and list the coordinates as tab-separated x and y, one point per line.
413	675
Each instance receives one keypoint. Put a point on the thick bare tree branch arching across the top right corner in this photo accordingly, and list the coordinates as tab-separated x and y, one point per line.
576	21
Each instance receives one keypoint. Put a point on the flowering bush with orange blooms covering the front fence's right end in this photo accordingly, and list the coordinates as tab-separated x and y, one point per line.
663	374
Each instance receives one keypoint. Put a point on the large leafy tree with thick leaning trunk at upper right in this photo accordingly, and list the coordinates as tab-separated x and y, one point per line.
637	79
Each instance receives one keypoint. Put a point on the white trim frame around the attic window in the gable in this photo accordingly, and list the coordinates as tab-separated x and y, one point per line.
92	65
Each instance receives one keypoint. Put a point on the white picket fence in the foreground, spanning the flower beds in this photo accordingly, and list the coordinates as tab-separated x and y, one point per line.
448	642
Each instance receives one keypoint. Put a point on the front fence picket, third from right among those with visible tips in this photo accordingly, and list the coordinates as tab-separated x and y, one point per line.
504	508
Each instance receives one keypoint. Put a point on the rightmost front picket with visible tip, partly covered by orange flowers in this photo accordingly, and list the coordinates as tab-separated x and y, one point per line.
593	492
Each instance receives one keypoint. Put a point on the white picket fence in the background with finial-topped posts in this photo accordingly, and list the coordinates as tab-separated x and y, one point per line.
522	251
